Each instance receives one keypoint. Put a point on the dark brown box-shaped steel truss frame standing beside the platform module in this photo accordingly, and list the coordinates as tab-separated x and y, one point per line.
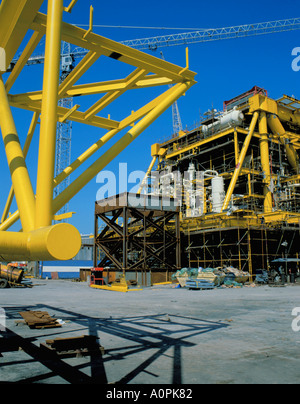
143	239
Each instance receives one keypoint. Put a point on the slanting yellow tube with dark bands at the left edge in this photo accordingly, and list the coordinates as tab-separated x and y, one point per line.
16	161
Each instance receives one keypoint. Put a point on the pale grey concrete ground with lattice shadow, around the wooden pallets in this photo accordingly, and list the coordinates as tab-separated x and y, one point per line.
159	335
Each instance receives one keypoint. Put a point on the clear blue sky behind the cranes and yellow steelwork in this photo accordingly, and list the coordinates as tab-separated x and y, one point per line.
224	69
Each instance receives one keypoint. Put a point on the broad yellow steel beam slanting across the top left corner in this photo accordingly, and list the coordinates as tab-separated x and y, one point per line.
16	17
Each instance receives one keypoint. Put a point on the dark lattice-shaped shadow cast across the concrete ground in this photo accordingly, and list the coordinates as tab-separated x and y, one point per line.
151	335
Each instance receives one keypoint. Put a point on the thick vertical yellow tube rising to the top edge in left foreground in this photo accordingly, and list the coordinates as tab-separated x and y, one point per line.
46	158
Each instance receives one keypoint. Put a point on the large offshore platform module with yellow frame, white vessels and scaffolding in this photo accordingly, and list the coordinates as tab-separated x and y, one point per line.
237	179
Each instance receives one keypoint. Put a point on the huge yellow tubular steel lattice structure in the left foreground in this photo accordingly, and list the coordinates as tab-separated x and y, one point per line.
40	240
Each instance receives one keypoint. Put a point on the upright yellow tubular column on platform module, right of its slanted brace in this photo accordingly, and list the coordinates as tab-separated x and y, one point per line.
265	160
